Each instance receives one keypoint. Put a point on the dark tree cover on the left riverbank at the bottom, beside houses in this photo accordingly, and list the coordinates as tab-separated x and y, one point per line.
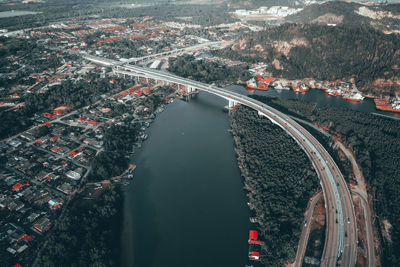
86	234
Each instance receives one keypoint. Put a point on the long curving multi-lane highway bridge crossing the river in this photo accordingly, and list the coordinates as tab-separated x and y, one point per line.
341	236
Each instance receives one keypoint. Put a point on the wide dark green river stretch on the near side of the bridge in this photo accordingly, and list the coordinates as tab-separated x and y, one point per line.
186	205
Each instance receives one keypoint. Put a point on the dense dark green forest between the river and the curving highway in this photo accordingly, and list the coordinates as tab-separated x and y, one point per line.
279	180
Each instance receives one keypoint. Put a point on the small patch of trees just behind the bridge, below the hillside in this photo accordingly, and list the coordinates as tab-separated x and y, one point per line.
207	71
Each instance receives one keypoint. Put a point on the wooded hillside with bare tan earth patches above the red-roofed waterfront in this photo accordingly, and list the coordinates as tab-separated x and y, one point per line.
363	55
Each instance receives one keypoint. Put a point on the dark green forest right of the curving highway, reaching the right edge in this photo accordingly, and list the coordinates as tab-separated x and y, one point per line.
375	141
